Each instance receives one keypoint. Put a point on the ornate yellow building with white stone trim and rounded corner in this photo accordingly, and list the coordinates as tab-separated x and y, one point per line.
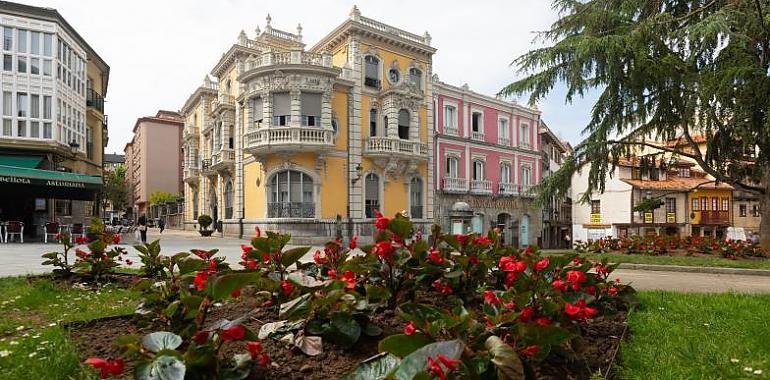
312	141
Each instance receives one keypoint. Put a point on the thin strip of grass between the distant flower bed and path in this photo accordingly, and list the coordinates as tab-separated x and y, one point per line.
698	261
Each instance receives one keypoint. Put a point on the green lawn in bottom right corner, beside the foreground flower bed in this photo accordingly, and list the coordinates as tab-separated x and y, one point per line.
698	336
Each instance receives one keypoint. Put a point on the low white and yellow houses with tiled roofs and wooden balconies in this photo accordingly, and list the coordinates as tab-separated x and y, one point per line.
688	201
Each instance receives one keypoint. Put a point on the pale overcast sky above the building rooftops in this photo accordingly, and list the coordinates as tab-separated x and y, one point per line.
159	51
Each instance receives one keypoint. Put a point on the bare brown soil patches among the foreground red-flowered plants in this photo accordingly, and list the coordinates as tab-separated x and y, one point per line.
600	341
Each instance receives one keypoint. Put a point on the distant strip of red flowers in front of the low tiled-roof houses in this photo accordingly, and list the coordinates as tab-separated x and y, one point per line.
673	245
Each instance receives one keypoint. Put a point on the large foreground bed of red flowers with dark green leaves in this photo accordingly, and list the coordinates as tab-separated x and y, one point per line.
444	306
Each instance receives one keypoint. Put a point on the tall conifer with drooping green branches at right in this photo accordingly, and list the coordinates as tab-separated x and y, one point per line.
665	69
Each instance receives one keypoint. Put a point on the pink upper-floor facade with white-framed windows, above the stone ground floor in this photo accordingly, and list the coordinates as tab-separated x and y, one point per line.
469	130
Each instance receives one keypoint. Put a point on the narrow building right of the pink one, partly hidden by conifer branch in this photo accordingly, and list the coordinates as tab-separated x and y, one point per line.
557	213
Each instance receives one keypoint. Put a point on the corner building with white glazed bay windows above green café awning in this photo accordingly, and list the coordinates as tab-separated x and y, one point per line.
53	129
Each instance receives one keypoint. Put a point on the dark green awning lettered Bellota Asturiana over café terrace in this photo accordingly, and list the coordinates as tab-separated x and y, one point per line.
18	175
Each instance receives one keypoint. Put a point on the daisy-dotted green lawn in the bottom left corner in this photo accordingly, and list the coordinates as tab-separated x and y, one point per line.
32	343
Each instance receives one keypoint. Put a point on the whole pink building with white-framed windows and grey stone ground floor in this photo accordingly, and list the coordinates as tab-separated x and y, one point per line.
487	159
